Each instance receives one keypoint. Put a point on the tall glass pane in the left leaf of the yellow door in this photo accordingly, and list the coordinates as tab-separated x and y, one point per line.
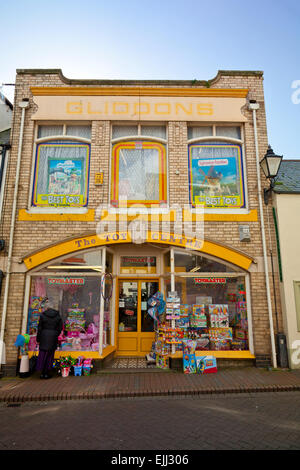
128	306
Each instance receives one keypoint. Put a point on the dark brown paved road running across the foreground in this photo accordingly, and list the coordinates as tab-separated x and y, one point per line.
246	421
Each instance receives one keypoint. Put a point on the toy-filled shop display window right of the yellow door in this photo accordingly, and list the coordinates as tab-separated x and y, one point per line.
213	311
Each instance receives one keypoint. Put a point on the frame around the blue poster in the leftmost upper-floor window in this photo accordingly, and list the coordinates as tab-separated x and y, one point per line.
61	138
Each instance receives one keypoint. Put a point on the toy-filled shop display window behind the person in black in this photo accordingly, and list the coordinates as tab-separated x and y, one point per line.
78	300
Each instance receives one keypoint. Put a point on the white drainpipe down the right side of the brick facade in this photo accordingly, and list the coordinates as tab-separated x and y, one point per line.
253	106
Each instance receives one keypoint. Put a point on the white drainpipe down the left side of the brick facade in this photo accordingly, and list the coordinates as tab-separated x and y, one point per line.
23	105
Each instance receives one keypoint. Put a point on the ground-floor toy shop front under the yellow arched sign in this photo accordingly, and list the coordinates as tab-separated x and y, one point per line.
102	286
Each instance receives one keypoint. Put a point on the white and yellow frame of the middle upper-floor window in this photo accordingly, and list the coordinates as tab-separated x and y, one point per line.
163	178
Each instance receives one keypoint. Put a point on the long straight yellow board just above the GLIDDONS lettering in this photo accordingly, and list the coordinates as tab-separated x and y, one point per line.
140	91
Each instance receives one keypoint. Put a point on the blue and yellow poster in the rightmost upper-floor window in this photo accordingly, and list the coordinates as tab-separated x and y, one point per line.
216	176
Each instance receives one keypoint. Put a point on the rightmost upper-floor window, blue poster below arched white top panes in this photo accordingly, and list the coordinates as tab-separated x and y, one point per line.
216	173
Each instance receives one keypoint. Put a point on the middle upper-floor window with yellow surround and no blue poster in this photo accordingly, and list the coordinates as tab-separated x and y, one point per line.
138	165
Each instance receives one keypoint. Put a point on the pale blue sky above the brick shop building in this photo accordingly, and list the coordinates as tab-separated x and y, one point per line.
163	39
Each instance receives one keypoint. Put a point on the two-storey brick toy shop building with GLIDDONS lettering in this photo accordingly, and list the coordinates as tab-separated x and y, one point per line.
152	183
